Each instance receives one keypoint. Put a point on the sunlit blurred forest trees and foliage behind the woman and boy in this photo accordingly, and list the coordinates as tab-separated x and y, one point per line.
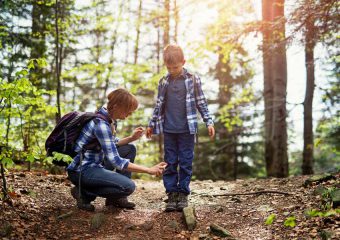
58	56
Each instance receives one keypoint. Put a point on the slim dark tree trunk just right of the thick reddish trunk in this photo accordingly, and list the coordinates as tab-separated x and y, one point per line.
307	163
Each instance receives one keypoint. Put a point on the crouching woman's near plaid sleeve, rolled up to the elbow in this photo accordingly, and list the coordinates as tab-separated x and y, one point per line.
105	137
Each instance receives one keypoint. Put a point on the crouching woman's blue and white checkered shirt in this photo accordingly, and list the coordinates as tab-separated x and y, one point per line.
100	129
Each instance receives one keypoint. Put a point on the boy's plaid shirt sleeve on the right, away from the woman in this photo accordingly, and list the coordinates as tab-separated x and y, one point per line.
201	102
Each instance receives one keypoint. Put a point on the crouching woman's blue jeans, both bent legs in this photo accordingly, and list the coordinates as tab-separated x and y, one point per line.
96	181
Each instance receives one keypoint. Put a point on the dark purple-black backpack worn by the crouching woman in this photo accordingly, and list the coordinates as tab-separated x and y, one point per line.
63	137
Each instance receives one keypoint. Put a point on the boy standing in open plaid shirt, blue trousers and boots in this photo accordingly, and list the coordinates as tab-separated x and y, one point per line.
175	115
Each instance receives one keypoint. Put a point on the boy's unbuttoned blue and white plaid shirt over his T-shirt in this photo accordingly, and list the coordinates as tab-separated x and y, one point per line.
195	99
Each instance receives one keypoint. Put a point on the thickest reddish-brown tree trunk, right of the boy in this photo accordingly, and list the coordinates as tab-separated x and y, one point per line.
275	87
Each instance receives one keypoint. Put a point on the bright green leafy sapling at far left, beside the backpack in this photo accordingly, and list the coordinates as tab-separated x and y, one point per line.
24	107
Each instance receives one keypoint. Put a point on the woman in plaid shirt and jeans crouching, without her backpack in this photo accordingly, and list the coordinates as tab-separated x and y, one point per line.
93	168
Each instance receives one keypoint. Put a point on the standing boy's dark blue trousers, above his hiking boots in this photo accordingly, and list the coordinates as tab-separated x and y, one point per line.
178	151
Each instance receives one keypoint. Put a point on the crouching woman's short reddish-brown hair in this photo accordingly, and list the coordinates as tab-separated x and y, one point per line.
121	100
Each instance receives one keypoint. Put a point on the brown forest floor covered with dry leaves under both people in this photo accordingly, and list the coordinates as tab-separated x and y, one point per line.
41	207
